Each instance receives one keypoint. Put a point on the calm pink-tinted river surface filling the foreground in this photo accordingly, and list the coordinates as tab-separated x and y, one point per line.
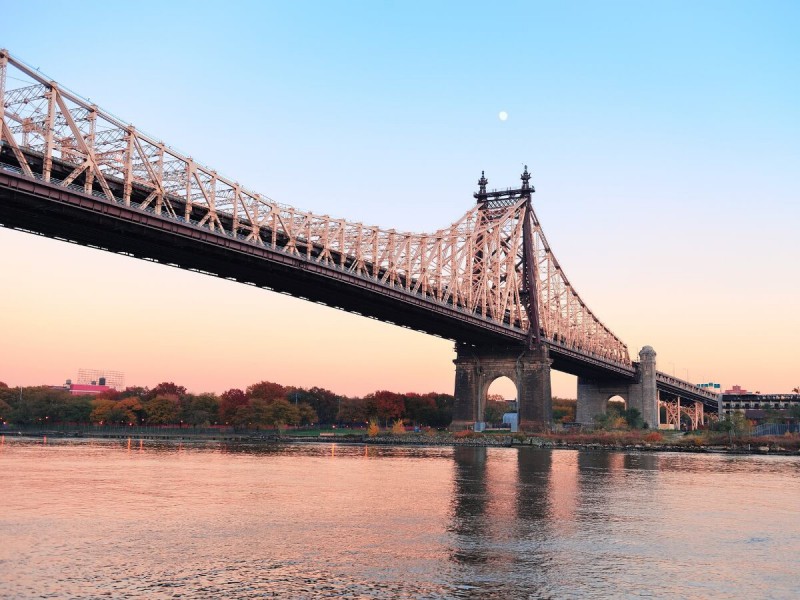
94	519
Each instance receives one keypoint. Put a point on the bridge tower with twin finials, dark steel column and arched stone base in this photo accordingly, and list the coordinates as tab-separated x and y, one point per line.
527	364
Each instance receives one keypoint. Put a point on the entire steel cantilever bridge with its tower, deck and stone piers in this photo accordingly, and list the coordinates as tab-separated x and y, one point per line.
489	282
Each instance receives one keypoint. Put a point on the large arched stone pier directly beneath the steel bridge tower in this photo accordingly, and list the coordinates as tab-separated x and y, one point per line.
477	368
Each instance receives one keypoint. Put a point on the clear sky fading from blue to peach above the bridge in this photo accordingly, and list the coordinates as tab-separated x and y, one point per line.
664	138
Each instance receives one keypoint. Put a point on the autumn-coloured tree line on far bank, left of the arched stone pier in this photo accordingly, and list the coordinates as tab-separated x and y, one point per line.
261	405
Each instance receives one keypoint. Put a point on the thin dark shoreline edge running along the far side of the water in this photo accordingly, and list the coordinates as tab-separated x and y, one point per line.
422	440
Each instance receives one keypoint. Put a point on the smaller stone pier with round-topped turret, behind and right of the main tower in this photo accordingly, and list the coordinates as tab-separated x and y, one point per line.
593	395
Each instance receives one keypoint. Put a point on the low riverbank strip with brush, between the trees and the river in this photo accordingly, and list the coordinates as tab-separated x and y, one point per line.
629	441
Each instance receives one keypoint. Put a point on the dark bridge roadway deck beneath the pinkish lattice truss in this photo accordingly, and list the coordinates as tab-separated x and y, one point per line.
70	214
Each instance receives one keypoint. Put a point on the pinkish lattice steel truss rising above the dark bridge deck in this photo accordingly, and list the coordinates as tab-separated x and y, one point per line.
477	265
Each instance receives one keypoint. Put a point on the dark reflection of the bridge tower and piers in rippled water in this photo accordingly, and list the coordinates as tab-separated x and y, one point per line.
528	509
